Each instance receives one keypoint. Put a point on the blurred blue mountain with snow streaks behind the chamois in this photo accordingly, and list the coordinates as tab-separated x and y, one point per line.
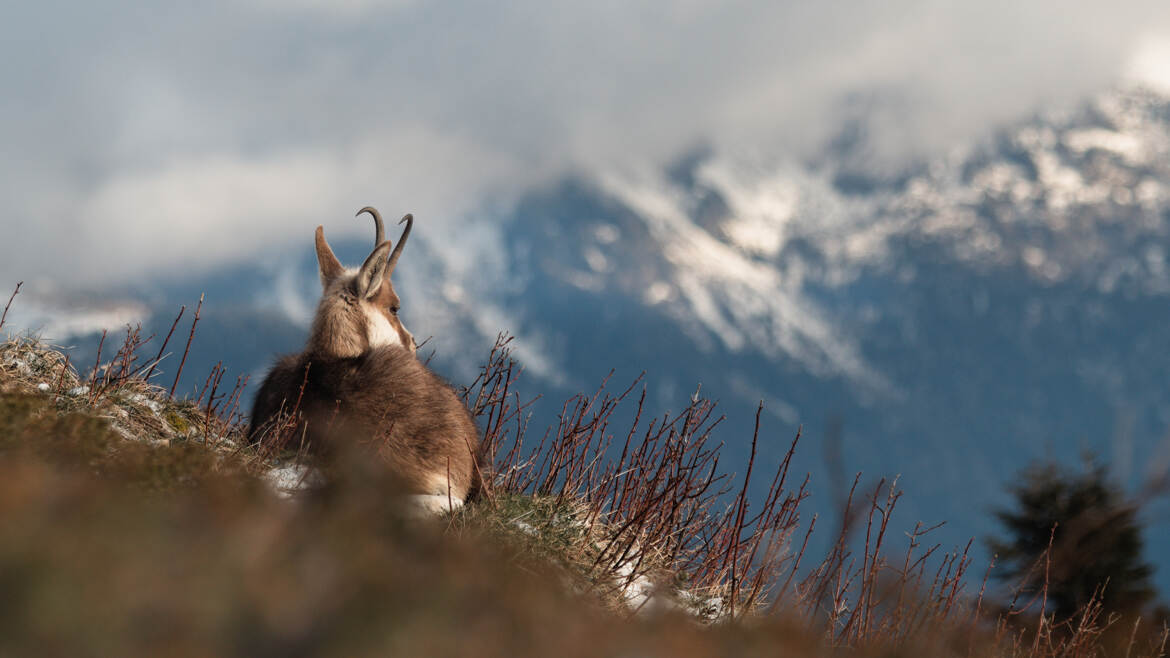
955	319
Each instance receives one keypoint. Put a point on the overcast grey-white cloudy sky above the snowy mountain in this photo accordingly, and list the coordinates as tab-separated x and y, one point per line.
144	139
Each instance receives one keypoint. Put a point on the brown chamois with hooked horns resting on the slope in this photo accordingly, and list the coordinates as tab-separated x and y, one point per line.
360	383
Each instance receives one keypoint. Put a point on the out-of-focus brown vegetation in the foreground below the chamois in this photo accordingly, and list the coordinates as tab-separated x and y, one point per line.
111	547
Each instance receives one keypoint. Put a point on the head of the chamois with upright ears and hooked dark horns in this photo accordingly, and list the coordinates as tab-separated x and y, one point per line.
359	310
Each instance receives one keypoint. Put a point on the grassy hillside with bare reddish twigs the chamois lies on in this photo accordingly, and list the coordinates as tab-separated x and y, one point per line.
136	524
